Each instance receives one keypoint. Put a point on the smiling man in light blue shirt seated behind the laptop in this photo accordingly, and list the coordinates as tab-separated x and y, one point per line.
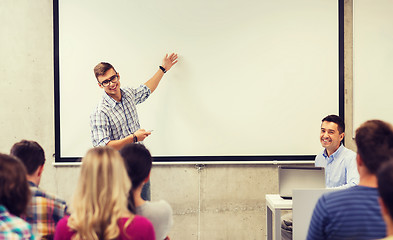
339	163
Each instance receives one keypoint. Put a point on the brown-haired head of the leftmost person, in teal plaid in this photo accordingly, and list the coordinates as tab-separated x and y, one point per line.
14	189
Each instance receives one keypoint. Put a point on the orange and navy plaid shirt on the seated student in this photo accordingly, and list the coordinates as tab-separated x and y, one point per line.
44	211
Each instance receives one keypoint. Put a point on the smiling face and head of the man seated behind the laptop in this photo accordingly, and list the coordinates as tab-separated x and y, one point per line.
332	132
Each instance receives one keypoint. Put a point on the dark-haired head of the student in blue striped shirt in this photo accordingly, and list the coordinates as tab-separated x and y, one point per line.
374	140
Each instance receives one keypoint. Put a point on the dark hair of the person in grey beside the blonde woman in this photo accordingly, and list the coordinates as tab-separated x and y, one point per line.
138	162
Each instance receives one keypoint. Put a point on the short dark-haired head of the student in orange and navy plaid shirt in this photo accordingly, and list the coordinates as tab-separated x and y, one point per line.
30	153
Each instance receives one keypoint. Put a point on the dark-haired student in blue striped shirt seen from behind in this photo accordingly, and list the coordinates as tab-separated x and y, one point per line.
354	213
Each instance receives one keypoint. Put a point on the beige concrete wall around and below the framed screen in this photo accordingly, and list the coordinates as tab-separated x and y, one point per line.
215	202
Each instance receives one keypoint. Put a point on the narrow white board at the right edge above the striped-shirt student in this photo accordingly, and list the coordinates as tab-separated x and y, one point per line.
372	61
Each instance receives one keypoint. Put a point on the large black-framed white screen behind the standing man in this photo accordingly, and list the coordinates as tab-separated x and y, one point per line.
254	77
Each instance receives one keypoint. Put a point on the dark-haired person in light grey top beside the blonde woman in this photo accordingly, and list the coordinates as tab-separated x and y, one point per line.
138	163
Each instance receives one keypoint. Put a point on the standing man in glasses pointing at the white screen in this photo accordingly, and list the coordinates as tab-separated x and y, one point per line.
115	120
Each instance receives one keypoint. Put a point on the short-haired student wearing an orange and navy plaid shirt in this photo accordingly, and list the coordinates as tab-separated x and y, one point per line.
44	209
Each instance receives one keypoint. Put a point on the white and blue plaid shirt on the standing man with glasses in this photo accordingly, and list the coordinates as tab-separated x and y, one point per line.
114	120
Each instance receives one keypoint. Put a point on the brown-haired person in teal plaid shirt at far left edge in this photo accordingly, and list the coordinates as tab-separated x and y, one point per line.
14	197
